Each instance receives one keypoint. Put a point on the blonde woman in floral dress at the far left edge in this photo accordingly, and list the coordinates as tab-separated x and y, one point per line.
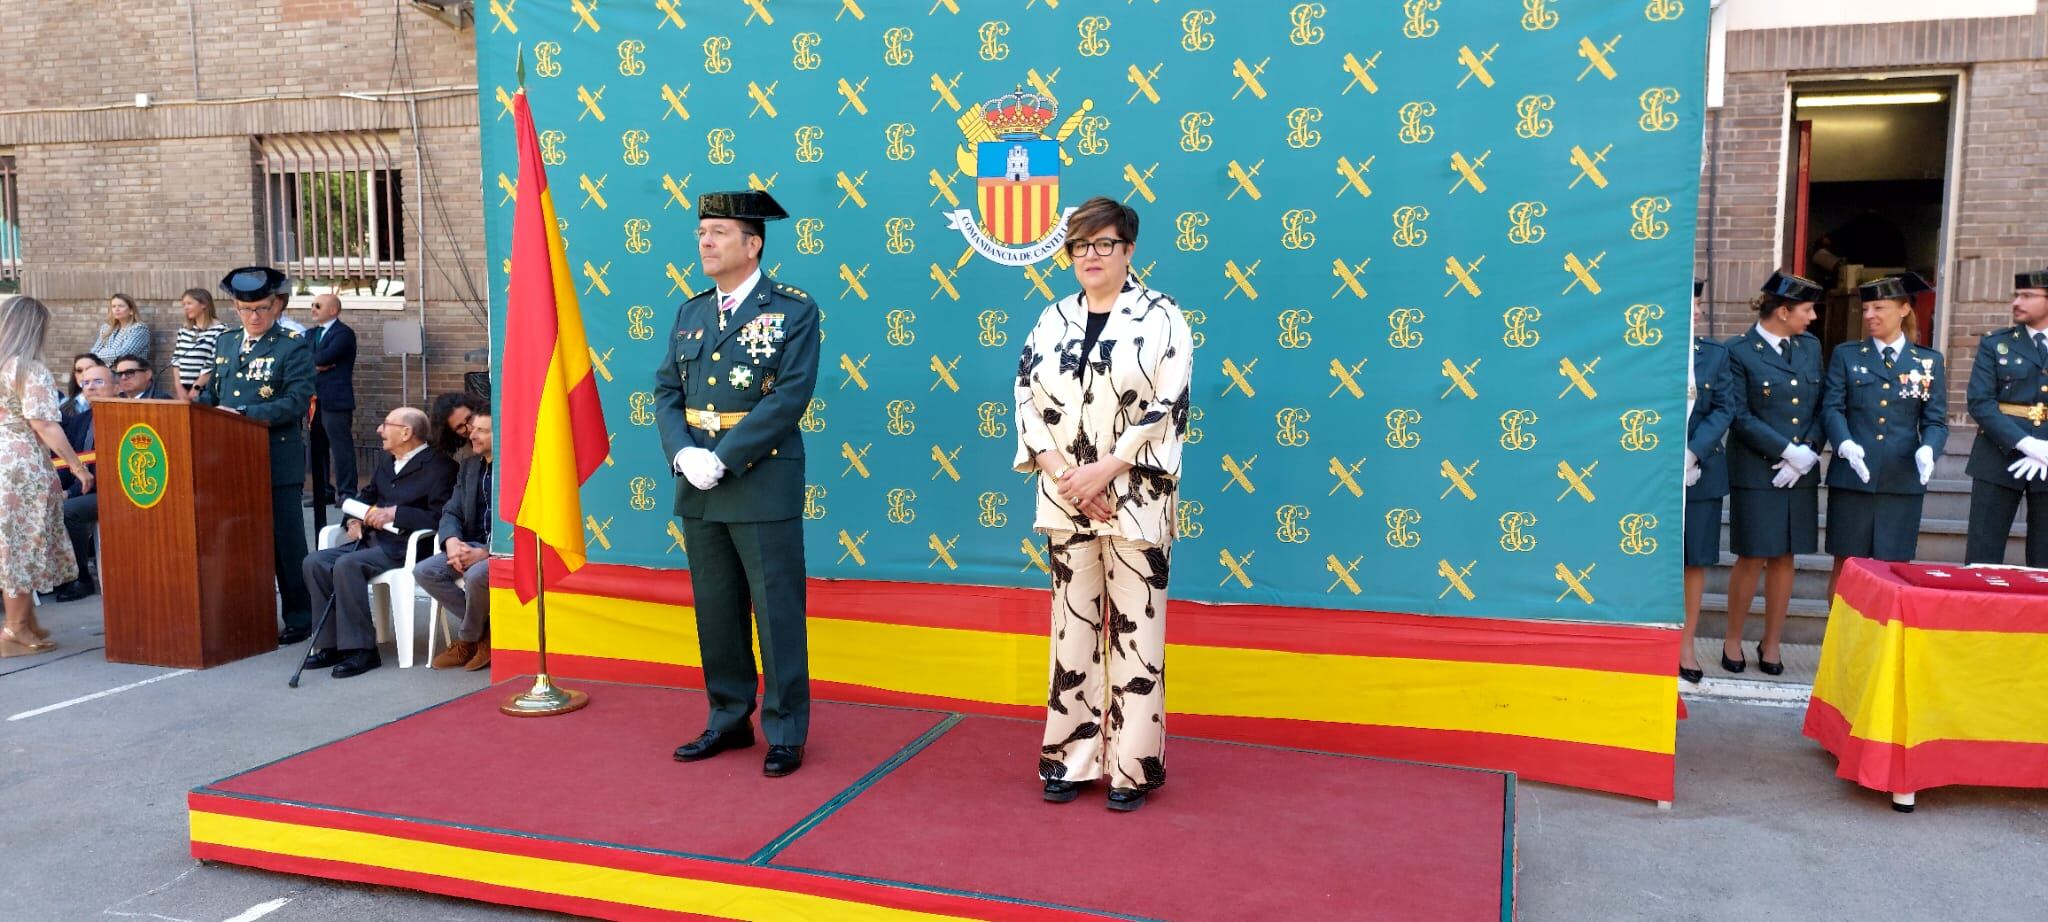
36	554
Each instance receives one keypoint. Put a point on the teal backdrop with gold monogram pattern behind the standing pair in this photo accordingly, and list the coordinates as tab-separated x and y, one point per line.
1426	255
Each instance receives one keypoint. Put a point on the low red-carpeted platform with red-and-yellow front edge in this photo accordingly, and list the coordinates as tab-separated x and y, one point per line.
896	814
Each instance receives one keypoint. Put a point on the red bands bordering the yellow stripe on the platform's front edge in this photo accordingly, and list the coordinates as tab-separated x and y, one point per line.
579	853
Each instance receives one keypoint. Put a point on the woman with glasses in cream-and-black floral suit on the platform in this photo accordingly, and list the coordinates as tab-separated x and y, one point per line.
1103	411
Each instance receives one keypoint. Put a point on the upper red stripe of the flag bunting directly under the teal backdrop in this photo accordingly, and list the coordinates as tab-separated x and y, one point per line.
1605	648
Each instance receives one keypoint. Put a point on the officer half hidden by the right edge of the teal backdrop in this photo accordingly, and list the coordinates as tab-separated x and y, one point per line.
1707	476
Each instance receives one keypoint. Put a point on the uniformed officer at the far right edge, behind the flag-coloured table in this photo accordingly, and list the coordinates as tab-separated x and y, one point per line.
2010	405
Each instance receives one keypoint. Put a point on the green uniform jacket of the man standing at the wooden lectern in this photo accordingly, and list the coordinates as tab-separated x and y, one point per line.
271	384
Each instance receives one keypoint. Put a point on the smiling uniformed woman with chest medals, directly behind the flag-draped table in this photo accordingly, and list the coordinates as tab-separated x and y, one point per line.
1885	411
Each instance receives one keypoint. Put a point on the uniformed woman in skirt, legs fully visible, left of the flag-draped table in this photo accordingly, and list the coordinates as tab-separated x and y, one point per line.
1775	499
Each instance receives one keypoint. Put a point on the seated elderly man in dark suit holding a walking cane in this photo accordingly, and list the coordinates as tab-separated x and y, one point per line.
407	495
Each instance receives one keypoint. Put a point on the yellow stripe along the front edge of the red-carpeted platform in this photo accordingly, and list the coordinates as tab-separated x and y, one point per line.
542	876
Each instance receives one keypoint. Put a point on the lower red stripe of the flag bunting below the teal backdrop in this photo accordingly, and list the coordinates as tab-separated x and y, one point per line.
1566	763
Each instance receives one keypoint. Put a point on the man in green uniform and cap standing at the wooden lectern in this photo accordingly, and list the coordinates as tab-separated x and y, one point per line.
267	374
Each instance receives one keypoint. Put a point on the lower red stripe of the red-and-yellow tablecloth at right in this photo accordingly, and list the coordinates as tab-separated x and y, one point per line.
1936	763
